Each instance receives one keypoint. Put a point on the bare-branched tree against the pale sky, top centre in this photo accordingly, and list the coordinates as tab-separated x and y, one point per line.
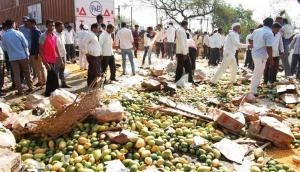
178	10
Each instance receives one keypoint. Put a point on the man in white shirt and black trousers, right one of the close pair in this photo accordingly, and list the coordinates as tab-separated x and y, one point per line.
106	43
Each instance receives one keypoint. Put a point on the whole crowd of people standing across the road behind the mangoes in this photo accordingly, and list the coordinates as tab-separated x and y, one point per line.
26	53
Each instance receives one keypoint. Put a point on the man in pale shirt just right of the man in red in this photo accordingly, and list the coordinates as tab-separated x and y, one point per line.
61	61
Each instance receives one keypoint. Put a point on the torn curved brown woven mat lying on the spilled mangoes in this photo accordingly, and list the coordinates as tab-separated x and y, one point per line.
64	121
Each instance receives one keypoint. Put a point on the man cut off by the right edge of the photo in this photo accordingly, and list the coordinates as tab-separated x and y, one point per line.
295	44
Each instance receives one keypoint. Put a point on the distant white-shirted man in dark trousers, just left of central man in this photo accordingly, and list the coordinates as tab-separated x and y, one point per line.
170	40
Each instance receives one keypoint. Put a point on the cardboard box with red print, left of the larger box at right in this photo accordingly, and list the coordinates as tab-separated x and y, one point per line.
233	122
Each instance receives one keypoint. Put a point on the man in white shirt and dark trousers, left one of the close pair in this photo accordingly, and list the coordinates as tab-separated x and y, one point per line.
92	49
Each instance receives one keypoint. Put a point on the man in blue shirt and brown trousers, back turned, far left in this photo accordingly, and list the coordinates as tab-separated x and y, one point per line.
16	46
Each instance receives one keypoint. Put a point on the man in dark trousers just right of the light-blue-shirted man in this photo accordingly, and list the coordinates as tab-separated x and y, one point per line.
270	72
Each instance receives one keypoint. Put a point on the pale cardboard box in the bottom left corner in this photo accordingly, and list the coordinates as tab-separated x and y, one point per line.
10	161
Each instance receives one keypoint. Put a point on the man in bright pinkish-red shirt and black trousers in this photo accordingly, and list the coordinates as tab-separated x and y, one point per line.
49	53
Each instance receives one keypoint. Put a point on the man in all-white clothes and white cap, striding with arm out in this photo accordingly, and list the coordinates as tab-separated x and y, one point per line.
231	44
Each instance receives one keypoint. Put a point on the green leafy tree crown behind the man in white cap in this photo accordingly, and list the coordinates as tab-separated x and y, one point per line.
225	15
